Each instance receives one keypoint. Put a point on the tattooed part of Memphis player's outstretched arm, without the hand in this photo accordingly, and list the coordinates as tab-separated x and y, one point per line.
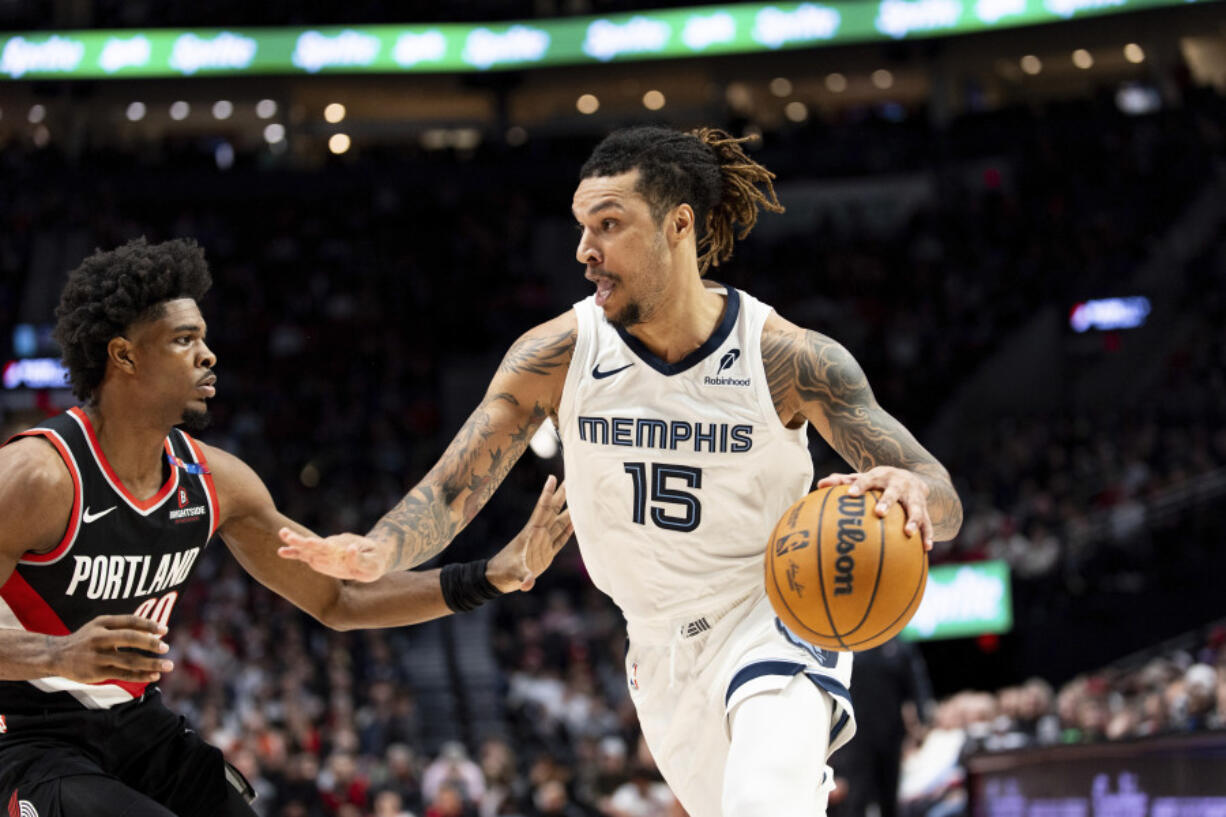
480	457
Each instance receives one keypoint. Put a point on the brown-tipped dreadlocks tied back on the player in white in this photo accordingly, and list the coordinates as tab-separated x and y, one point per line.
706	169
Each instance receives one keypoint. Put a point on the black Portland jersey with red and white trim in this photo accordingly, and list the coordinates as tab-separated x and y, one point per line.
120	556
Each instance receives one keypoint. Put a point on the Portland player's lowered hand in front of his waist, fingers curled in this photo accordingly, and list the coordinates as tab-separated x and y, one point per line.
104	651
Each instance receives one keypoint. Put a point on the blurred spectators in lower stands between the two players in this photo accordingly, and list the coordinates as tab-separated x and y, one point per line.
327	724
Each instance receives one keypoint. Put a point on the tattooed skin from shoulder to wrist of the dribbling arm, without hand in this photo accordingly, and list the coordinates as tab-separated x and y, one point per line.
812	372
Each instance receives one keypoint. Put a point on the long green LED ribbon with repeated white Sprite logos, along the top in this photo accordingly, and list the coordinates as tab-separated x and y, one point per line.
688	33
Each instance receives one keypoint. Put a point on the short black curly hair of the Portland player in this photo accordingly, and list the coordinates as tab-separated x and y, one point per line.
113	290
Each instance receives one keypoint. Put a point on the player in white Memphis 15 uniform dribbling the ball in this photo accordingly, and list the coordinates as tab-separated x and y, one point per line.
682	408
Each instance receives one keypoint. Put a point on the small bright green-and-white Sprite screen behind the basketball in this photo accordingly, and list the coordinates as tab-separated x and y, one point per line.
964	600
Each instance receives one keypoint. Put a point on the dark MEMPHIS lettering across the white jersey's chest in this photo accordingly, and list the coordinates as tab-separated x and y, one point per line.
666	436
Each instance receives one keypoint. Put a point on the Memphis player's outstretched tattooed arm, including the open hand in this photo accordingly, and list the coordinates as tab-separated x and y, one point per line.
524	392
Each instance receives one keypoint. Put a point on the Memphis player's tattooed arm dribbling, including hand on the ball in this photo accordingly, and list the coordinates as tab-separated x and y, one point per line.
815	378
